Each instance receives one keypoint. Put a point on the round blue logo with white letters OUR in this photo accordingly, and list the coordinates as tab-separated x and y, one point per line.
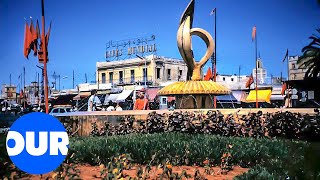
37	143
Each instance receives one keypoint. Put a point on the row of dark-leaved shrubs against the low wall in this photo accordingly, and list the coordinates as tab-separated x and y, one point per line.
284	125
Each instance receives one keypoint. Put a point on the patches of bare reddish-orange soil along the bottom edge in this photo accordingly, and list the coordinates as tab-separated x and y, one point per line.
93	172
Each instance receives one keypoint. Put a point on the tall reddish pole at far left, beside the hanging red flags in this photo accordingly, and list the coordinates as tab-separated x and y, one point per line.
45	59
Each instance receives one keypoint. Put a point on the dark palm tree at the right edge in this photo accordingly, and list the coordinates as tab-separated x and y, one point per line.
311	57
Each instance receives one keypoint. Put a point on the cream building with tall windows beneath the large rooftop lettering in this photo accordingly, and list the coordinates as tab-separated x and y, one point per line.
151	71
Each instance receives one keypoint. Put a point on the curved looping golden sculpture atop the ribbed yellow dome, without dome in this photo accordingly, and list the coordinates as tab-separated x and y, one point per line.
184	34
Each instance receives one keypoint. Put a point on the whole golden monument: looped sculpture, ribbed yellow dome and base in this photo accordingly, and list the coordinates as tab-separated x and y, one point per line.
194	93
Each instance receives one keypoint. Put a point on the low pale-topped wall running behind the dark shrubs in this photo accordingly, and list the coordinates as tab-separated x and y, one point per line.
81	122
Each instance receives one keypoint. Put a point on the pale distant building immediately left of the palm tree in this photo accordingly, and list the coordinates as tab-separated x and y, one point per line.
296	72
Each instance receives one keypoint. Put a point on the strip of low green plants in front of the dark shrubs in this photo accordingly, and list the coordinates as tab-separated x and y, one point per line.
281	158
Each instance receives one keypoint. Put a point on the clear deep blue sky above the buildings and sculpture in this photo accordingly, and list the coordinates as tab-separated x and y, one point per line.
81	29
